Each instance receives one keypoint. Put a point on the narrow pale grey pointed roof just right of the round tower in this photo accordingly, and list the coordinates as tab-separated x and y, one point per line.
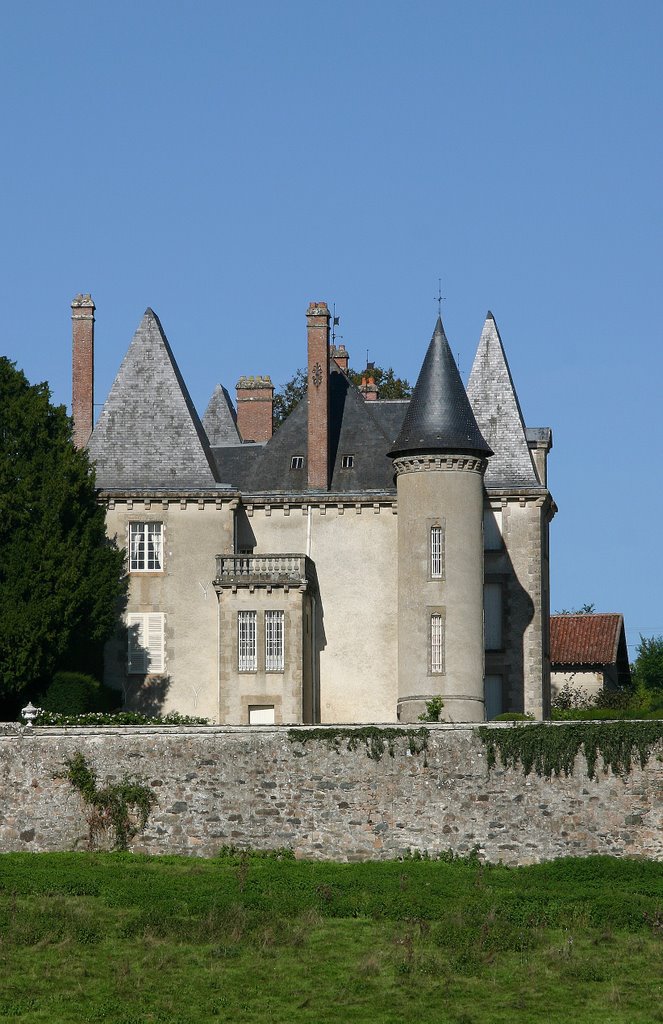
499	413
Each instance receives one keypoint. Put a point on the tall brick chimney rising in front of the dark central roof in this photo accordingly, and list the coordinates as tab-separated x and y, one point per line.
318	396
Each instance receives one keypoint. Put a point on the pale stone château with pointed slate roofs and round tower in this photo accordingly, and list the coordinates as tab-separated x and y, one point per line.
291	581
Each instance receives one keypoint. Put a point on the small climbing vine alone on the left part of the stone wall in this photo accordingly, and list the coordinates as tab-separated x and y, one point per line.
125	806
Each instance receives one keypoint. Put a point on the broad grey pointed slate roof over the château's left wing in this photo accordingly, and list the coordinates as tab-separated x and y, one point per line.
149	435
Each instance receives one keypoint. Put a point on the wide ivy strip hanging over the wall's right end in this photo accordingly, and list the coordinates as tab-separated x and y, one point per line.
552	750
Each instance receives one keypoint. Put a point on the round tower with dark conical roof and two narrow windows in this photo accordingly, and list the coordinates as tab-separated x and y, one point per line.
440	459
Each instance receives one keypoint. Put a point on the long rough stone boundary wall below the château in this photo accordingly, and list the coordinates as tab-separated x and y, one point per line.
254	788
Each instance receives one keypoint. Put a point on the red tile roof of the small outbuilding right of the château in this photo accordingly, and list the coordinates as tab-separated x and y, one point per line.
586	639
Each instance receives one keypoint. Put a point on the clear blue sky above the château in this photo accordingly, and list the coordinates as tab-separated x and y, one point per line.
226	163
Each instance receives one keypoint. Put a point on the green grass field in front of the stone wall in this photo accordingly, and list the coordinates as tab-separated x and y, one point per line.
128	940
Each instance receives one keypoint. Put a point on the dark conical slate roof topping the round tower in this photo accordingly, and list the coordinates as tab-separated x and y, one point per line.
440	417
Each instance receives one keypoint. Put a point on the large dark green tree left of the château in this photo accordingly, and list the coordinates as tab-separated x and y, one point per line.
61	579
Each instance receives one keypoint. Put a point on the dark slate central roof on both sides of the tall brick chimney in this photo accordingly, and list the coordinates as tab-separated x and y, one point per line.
354	431
